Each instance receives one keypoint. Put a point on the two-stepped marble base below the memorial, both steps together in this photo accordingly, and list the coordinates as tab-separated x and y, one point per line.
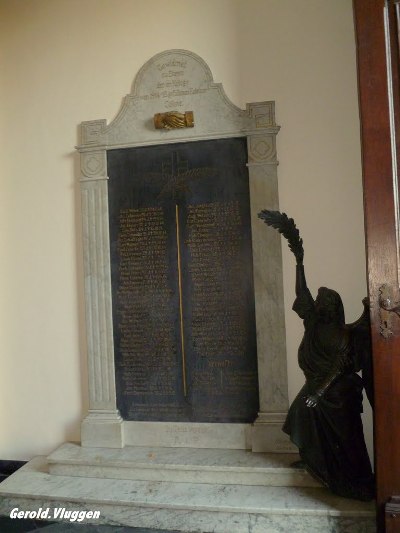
176	489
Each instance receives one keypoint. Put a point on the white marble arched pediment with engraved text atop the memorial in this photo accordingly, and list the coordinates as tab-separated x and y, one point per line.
177	80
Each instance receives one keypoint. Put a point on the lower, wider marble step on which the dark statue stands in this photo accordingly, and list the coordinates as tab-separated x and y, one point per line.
189	507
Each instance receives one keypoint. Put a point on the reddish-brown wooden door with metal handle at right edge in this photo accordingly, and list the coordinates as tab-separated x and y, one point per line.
376	24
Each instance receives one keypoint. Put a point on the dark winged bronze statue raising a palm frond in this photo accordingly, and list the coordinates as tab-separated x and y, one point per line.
324	420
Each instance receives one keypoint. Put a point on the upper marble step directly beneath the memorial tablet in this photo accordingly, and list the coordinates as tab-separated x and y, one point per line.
180	465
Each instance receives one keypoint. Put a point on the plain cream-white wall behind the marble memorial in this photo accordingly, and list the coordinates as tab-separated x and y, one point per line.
65	61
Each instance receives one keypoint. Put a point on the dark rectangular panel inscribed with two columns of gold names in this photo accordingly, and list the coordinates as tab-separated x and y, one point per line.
182	282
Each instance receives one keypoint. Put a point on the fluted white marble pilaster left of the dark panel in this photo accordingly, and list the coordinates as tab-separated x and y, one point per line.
103	426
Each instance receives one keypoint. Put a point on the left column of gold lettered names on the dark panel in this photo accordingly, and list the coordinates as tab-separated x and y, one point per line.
148	358
